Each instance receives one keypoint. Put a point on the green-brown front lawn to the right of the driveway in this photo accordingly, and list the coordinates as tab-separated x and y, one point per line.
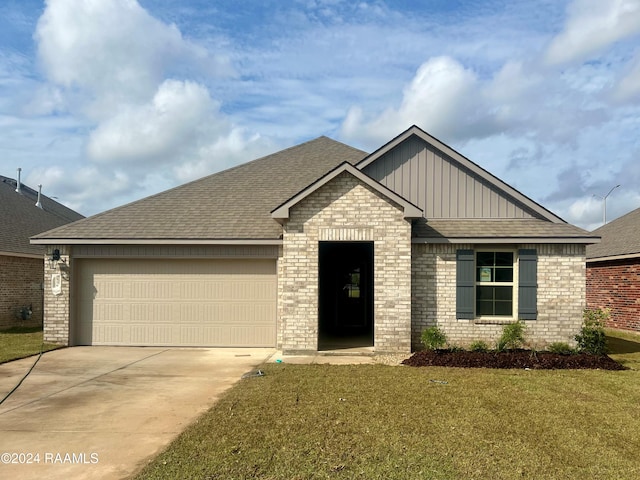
381	422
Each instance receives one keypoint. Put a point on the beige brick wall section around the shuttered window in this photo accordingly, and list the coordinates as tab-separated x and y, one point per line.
561	295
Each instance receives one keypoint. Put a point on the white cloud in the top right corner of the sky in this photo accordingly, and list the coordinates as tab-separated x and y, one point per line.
592	26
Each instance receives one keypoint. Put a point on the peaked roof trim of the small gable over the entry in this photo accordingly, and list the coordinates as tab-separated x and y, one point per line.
409	210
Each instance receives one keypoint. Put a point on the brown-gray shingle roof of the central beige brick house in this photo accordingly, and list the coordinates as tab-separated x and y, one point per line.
236	204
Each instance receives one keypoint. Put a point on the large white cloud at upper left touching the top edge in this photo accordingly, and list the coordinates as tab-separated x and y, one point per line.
114	51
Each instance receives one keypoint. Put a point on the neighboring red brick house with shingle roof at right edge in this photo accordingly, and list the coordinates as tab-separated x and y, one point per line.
613	271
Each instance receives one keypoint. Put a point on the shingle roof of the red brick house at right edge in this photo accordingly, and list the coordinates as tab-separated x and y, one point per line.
620	239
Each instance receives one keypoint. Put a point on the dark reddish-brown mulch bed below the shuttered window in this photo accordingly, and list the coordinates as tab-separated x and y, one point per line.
520	359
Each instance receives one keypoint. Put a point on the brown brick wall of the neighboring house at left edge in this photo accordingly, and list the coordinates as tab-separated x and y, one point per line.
21	287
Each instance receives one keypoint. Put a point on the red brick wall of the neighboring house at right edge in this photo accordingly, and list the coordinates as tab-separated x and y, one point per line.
616	285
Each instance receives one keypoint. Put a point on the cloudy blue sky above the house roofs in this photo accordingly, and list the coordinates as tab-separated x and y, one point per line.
108	101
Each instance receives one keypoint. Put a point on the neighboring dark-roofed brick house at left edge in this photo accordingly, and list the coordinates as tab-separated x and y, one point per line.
22	215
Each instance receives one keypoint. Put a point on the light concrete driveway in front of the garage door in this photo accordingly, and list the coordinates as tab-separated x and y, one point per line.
104	412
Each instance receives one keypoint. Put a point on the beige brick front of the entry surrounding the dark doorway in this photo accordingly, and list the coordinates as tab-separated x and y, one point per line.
345	210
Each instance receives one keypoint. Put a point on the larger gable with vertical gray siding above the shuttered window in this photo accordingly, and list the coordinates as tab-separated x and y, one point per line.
444	183
